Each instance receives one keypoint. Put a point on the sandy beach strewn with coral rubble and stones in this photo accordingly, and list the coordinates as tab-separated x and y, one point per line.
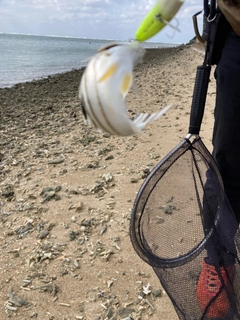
66	193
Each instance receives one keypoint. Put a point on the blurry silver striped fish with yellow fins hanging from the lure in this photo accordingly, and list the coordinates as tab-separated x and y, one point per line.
104	86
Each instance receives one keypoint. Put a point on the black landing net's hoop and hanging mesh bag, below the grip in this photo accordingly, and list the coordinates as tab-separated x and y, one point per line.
183	226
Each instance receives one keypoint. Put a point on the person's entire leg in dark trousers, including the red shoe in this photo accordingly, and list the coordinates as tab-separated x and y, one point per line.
214	288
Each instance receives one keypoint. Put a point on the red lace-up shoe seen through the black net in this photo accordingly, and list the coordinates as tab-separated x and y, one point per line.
210	287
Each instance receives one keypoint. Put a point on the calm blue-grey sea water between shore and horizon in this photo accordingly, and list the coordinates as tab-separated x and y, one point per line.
29	57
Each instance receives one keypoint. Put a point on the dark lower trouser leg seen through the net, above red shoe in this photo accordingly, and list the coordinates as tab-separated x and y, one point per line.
219	224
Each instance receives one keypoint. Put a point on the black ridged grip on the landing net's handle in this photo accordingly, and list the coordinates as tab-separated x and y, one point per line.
199	98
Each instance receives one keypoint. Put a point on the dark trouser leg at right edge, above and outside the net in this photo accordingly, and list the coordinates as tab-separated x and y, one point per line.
226	135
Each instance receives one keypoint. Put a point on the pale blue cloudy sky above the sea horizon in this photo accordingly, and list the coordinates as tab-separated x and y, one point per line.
106	19
